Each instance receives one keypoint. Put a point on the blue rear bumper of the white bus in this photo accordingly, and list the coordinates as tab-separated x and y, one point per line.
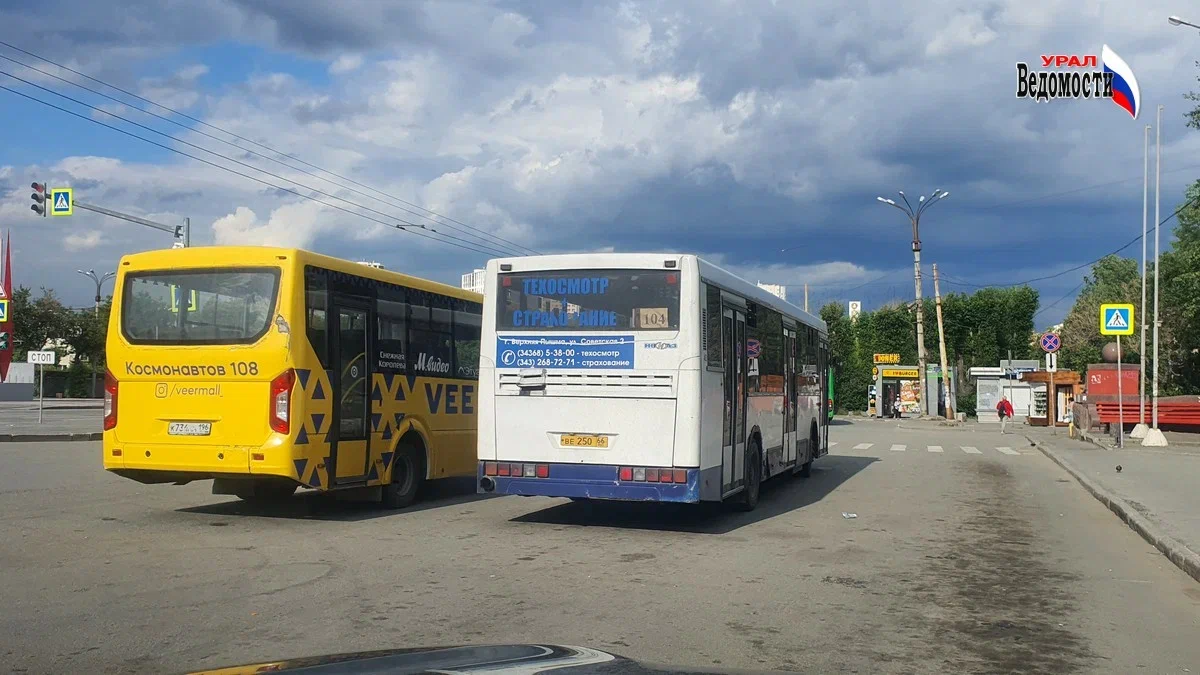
589	482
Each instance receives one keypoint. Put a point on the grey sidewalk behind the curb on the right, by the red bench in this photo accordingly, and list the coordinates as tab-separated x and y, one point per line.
1155	493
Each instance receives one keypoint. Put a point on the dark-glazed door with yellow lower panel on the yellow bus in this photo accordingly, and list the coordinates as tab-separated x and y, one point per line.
351	378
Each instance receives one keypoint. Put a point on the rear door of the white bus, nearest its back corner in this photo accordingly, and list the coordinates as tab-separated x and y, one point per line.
734	444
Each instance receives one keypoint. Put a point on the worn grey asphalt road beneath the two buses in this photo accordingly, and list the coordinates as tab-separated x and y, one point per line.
958	561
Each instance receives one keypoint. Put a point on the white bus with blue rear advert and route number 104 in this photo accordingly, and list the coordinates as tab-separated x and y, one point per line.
646	378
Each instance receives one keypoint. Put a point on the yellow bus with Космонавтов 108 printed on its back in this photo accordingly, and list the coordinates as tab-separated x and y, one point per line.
274	369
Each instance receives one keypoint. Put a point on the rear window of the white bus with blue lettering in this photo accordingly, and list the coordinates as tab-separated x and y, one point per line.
590	301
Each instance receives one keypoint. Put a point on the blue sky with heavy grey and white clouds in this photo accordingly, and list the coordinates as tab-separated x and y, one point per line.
757	134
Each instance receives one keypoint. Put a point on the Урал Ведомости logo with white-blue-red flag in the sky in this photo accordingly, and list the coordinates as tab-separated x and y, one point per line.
1105	77
